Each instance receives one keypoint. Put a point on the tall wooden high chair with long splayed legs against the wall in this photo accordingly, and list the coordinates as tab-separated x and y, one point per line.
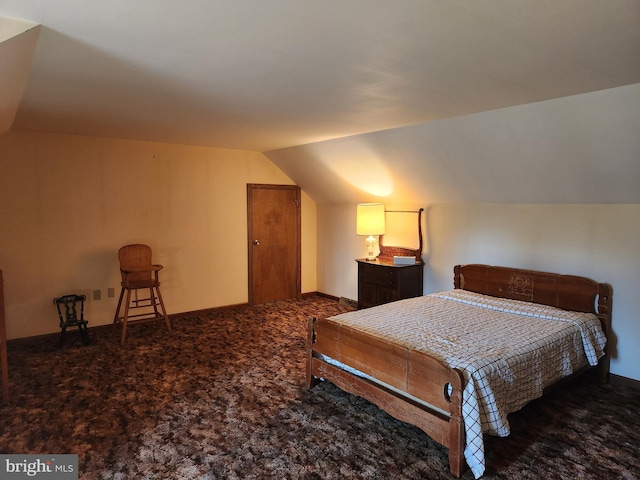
139	274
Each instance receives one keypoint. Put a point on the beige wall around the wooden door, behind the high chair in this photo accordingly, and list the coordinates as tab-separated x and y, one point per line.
67	203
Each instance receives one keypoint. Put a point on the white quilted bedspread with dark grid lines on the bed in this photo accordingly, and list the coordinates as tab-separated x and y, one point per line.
508	350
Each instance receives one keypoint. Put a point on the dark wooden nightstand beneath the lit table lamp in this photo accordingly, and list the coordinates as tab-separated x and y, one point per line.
381	281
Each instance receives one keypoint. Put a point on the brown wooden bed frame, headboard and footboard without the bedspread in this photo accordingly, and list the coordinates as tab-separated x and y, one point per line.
426	378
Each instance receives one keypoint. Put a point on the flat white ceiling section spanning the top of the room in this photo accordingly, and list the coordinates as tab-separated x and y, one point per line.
269	74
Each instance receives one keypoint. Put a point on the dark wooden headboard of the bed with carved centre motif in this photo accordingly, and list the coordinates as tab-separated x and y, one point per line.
569	292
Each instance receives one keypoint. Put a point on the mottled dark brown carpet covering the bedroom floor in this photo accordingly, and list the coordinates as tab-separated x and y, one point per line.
223	398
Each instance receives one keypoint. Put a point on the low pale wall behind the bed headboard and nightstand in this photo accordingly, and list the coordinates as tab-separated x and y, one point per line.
597	241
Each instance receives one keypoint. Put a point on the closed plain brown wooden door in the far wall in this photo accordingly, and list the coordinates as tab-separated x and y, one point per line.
273	216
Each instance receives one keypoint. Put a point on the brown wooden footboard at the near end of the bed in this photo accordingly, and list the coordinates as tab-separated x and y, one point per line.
437	389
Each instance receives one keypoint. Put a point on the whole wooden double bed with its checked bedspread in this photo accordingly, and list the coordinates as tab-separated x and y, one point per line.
456	363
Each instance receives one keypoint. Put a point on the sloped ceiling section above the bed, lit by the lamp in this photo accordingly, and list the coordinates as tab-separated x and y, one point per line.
583	149
